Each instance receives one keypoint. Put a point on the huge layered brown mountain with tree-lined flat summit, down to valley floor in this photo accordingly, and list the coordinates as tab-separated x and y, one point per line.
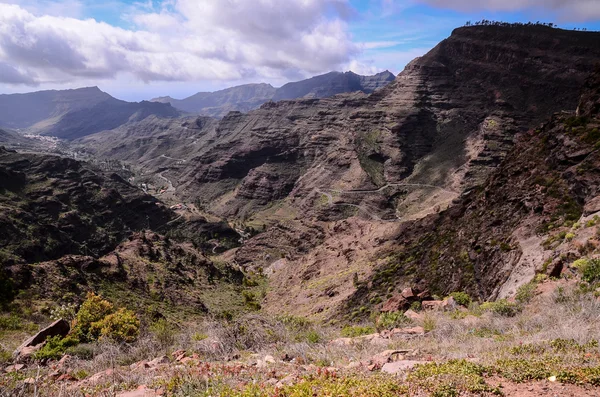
332	181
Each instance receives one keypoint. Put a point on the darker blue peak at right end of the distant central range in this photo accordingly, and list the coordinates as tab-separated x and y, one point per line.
332	83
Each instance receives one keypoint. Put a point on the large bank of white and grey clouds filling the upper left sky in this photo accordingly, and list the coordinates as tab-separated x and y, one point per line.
184	40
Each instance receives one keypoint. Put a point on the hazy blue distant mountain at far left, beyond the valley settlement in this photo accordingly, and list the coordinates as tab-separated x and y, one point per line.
70	114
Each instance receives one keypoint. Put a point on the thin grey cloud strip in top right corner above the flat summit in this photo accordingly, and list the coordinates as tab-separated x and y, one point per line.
572	10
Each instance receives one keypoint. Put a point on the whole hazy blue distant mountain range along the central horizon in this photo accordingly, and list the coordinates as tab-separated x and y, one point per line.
247	97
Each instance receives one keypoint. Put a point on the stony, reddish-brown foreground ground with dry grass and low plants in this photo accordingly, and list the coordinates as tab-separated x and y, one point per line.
547	346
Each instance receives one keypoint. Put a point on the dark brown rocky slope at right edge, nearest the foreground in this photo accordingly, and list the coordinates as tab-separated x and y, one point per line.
536	214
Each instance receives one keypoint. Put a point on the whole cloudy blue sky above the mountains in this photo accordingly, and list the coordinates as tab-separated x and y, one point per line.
137	50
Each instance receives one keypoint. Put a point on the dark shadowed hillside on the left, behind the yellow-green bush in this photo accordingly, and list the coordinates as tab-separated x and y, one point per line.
66	228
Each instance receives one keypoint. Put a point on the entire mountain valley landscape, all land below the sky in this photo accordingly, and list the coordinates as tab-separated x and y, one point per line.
430	233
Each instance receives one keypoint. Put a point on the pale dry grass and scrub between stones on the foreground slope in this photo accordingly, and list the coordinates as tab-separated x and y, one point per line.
493	341
